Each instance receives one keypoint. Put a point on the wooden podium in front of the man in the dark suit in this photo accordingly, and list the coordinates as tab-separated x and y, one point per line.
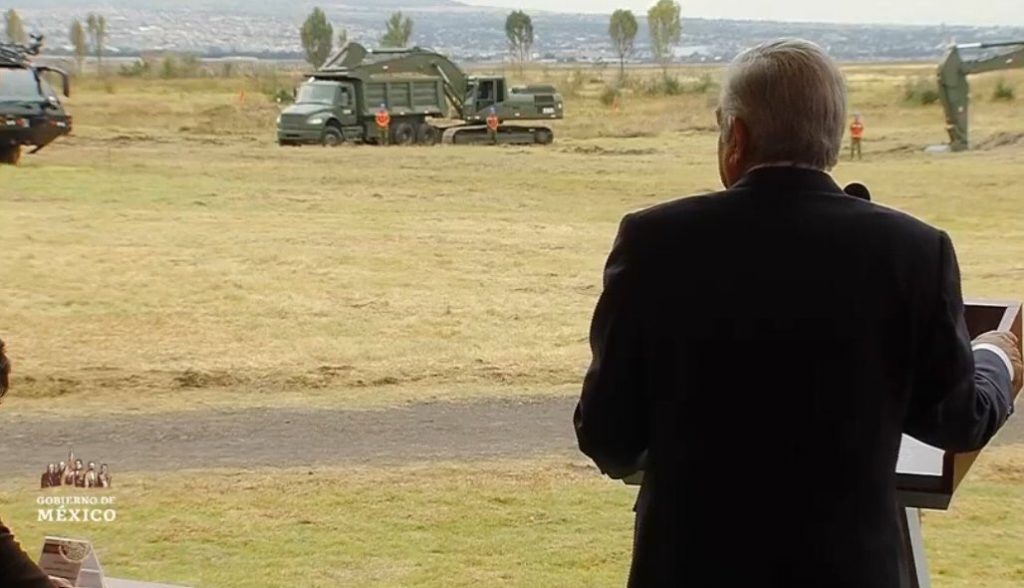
927	478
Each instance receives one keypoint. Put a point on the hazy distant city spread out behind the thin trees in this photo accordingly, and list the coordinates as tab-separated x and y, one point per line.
480	35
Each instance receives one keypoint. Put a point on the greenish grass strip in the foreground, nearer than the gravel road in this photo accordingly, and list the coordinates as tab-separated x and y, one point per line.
517	524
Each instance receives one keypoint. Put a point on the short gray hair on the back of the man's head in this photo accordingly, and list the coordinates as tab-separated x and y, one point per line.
792	97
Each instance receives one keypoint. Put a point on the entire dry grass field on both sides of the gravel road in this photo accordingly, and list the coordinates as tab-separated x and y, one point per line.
170	258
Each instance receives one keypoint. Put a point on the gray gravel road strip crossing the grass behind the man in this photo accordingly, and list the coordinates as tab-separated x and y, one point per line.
309	438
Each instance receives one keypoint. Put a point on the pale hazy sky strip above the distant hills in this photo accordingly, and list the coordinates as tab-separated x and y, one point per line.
897	12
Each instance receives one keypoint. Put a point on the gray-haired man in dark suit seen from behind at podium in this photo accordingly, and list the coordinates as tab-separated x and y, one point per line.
755	347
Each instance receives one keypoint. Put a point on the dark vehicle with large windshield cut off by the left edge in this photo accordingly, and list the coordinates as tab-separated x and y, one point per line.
31	113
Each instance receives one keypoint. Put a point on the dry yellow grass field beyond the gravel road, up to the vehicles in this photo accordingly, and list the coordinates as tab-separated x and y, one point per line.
172	257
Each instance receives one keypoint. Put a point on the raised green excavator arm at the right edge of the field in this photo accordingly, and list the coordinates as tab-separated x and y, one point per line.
955	92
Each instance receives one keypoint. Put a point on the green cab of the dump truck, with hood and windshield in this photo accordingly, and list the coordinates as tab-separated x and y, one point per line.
325	112
